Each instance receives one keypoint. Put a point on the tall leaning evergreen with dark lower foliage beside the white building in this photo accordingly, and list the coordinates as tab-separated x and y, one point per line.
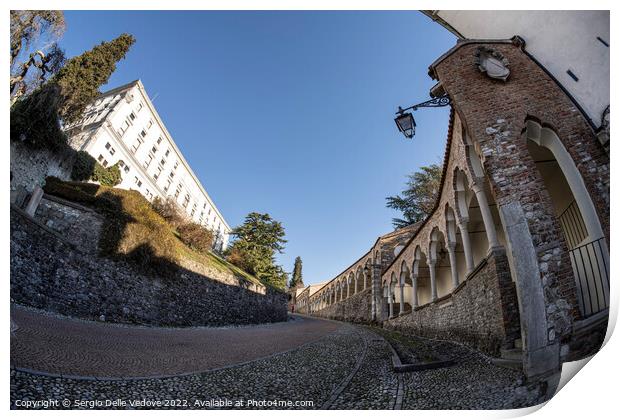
35	118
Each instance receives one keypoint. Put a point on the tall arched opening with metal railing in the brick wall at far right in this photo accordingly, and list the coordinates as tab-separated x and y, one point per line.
577	217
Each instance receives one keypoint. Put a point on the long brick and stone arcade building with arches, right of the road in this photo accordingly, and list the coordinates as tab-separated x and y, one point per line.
514	258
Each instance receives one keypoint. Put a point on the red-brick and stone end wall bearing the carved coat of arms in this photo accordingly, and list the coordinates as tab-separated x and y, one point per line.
494	115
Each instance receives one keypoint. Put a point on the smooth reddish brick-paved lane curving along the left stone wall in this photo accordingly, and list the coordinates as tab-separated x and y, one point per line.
60	345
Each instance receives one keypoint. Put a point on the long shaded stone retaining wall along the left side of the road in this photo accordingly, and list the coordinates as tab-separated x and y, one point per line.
51	272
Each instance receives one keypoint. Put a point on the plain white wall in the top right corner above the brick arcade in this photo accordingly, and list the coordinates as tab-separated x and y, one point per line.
559	40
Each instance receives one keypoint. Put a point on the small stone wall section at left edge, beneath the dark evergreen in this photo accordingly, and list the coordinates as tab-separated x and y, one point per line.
30	167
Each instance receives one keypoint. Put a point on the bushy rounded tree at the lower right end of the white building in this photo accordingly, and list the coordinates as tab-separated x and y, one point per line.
257	241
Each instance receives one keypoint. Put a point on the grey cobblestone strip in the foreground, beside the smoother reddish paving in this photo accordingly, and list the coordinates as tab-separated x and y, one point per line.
348	367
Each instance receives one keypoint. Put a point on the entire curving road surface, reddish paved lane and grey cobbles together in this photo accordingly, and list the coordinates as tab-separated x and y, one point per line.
328	365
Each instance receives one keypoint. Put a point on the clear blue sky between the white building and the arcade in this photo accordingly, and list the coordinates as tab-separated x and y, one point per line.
289	113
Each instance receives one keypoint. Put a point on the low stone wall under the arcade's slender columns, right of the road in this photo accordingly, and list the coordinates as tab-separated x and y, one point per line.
482	312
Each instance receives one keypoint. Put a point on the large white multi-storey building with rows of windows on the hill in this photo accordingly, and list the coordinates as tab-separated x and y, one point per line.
122	126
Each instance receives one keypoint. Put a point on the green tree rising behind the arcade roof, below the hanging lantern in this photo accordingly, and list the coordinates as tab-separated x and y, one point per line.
418	198
